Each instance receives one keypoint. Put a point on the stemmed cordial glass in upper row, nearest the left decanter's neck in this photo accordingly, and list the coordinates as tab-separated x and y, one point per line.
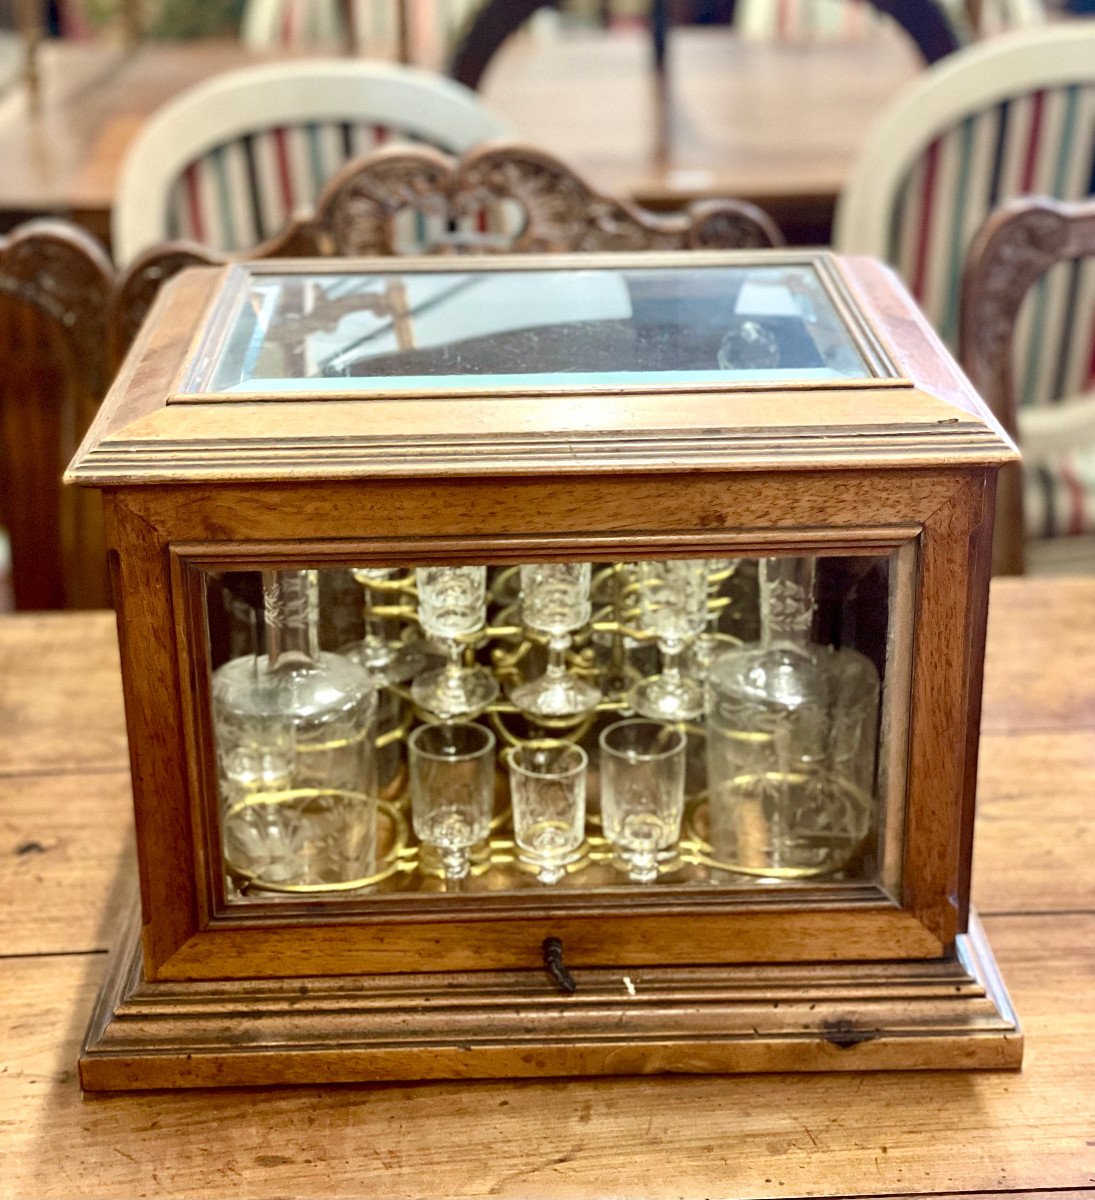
452	605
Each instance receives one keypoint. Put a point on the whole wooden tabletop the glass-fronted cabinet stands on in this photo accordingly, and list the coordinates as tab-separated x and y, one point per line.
65	849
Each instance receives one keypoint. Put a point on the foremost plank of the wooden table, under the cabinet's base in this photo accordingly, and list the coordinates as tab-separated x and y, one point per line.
767	1136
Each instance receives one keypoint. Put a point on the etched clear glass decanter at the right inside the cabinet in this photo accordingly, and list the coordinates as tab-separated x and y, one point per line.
792	739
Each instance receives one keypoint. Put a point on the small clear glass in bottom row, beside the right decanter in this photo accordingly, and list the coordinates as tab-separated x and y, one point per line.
642	793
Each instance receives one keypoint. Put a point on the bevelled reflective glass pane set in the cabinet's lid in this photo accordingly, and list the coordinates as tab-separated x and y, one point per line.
428	332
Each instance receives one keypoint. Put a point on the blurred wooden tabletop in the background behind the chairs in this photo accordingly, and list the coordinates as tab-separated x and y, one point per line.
779	124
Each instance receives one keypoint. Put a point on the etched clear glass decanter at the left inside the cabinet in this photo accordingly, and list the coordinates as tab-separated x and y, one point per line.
295	736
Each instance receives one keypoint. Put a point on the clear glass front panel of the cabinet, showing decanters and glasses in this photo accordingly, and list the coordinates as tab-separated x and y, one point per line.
674	724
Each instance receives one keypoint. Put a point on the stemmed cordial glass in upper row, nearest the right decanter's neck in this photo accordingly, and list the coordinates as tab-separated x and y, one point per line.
673	604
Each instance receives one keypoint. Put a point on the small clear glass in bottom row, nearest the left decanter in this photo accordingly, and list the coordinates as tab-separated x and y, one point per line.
452	790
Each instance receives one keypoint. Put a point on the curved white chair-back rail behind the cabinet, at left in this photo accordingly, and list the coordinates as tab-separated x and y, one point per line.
417	103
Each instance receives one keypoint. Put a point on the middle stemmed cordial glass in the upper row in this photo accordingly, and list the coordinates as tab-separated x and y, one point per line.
555	601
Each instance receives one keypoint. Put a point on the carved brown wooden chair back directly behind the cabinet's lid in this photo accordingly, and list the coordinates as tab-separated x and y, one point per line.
417	200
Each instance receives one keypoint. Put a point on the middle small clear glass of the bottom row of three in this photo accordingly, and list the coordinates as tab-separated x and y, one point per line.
548	793
